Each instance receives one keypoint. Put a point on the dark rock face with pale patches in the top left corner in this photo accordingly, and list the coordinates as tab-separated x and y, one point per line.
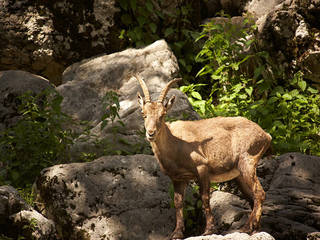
44	37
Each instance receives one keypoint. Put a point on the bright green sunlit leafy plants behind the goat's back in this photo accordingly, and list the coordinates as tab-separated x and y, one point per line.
286	107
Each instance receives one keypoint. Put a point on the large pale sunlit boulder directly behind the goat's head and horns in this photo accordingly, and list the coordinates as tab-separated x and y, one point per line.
86	83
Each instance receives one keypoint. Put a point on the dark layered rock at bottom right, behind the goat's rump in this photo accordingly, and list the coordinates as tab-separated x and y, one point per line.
292	206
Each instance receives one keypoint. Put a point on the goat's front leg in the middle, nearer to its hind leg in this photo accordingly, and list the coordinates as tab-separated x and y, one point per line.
204	182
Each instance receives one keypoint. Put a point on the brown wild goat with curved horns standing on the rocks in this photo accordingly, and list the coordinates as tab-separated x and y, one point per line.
216	149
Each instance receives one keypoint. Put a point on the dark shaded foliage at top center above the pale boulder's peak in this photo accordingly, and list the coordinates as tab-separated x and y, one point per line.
145	22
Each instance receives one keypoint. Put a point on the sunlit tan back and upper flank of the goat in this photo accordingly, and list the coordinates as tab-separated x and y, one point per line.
234	135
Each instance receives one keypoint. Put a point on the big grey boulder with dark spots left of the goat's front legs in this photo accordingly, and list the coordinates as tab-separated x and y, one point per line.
113	197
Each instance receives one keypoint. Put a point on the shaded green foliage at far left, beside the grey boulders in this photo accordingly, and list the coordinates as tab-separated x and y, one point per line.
37	141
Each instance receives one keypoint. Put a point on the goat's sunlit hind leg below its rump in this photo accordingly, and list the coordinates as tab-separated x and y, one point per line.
251	187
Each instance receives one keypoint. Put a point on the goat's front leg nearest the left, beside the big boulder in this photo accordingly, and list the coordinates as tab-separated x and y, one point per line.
179	189
